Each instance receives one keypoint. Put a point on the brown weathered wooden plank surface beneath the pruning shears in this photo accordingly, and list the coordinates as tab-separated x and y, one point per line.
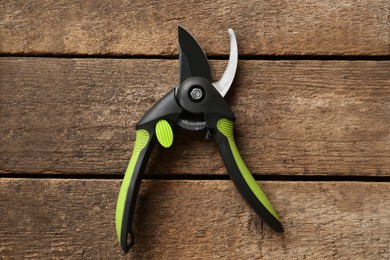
312	99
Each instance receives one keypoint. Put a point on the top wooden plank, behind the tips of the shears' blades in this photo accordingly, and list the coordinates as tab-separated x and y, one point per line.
320	27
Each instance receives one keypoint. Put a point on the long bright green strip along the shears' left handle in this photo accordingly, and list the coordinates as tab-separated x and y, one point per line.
141	139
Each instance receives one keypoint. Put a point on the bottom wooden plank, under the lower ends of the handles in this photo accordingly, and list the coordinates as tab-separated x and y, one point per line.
43	218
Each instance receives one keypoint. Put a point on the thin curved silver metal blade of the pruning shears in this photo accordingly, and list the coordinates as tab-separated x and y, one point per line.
227	78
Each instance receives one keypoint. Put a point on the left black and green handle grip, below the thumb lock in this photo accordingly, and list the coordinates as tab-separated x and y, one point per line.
127	198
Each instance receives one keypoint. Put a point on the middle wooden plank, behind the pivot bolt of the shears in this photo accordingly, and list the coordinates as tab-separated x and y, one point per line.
293	117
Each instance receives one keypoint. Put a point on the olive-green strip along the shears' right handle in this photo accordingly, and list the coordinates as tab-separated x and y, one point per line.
225	126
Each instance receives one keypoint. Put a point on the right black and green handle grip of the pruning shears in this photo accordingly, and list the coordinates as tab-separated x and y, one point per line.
242	177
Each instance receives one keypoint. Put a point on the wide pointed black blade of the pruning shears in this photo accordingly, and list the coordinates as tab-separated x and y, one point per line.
193	61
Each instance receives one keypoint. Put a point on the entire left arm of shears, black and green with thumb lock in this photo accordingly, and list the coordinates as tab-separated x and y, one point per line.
154	125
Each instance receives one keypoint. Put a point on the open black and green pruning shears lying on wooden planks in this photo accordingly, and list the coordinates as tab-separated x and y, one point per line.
196	104
